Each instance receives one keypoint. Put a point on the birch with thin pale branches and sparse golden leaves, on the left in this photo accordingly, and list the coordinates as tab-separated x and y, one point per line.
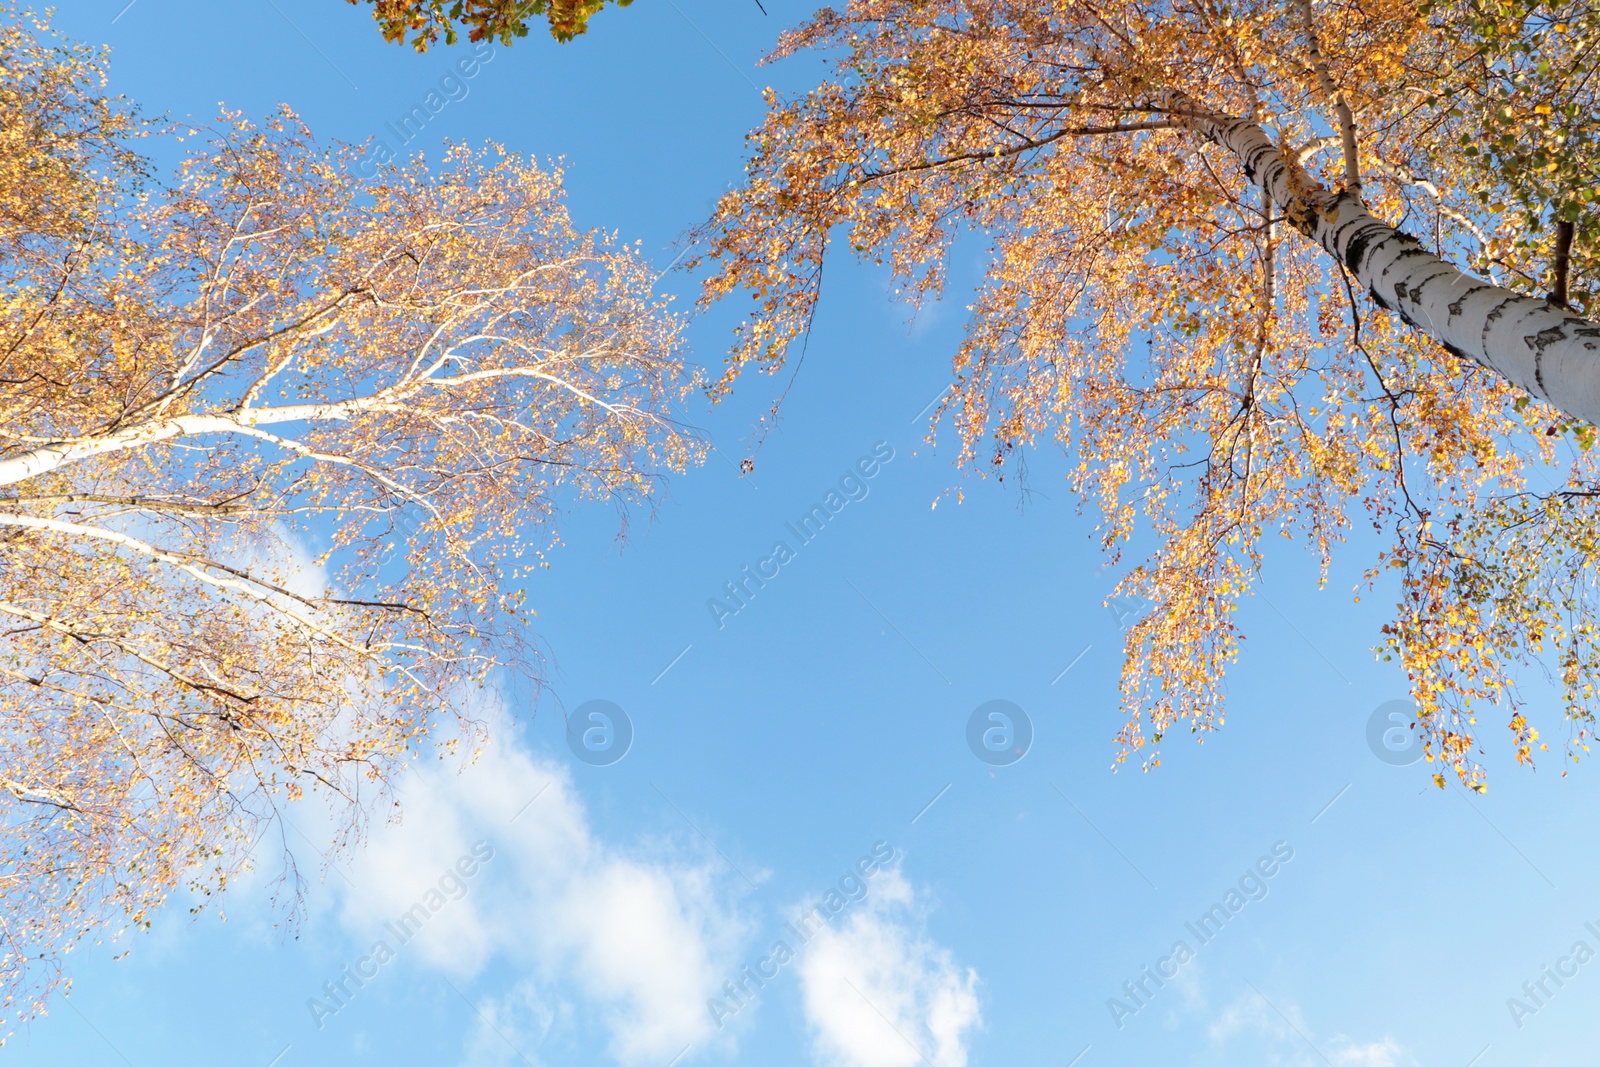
274	449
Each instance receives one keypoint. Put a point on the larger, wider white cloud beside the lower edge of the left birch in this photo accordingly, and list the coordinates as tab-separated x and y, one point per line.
642	933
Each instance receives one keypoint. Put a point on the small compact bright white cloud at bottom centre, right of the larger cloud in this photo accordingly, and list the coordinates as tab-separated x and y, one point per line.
879	993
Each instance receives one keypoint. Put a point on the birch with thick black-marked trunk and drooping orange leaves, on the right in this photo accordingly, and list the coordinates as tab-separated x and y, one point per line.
1260	271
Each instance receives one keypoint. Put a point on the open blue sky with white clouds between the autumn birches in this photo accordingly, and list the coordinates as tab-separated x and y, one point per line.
774	754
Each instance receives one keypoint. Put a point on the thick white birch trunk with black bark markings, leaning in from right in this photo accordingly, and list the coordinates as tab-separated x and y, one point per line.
1546	351
